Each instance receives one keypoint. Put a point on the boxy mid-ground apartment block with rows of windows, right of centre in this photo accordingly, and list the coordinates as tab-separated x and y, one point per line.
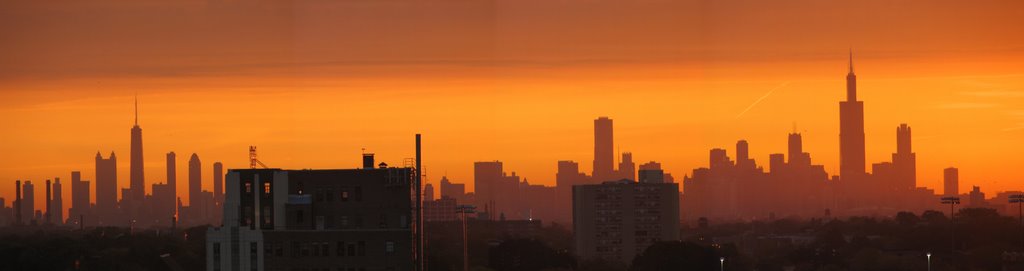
617	220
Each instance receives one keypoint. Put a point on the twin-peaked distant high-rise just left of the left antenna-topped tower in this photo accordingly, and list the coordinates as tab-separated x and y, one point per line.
107	190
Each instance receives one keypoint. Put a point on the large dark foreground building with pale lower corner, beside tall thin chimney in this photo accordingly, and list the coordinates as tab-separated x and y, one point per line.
362	219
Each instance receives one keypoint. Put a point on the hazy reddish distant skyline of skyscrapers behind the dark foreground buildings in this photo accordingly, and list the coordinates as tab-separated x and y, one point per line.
494	188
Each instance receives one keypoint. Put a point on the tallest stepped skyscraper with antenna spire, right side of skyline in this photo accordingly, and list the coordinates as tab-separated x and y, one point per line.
851	134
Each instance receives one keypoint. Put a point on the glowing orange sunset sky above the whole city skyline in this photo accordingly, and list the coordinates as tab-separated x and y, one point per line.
311	83
